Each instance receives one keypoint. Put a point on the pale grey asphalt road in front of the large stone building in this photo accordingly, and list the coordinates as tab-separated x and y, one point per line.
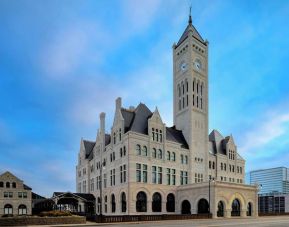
280	221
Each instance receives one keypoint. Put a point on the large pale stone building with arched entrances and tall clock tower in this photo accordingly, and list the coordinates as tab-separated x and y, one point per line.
146	167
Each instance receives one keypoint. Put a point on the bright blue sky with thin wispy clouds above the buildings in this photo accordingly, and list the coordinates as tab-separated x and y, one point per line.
64	62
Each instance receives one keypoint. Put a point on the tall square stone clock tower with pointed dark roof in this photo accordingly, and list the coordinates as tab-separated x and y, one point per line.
190	81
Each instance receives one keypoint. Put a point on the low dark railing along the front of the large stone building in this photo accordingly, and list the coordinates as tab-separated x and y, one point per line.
137	218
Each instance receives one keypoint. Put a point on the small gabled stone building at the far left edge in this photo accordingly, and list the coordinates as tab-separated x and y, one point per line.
15	196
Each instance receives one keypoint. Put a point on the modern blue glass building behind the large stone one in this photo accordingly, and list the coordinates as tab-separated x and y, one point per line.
274	180
